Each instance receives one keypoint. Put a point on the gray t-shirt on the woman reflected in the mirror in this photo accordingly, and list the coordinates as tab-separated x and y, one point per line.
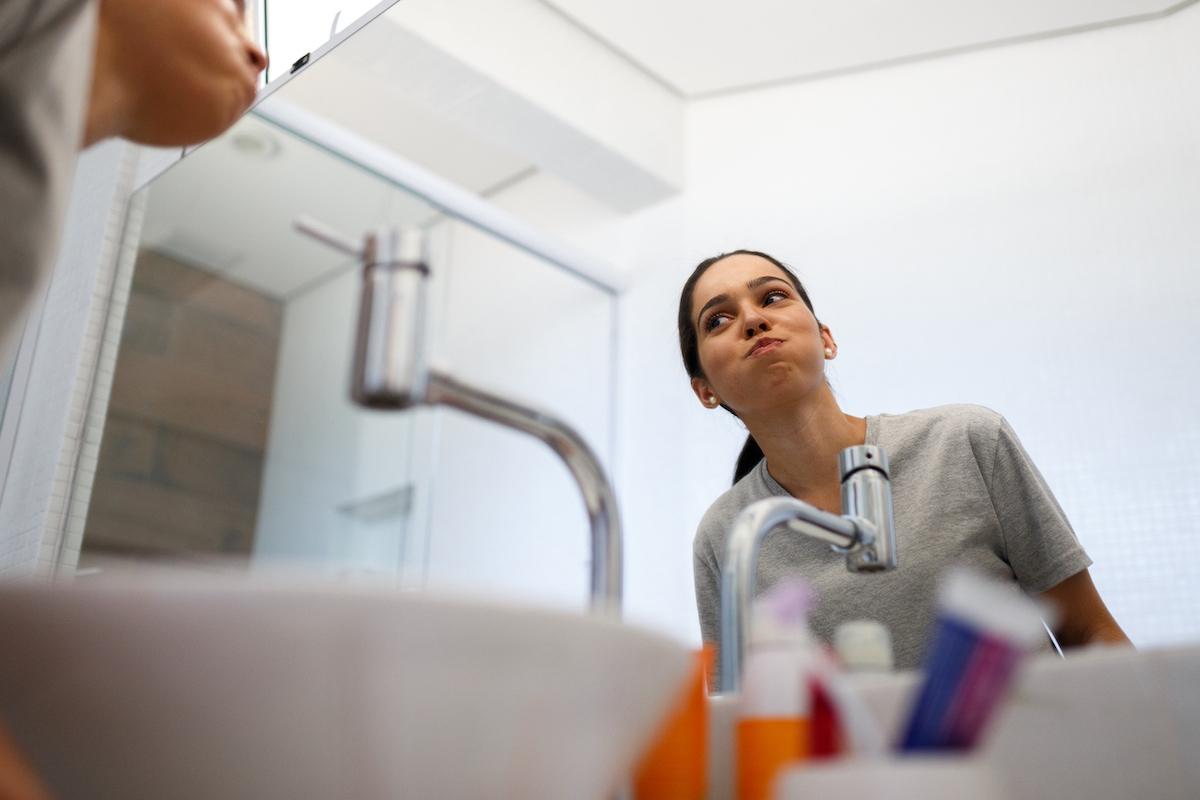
964	492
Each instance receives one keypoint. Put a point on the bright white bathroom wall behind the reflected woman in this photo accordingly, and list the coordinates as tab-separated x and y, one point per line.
1013	227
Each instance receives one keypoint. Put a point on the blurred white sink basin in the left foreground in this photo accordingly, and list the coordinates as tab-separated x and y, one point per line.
223	689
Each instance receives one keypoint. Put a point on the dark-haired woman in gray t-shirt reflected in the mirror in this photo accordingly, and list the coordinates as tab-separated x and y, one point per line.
964	490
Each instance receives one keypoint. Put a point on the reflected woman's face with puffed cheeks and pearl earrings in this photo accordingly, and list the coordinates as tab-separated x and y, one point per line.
759	342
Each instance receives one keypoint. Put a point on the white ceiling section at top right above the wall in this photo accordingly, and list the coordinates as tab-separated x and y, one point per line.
705	47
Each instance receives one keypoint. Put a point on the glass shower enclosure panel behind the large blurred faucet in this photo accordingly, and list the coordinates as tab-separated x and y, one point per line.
230	429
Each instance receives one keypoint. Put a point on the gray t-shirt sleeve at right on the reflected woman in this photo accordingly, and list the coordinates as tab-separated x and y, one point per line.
1040	544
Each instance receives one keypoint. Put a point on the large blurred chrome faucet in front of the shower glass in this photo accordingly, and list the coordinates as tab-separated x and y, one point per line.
392	371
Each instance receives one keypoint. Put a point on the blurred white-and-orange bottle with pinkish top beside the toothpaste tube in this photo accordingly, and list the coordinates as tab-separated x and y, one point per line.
776	706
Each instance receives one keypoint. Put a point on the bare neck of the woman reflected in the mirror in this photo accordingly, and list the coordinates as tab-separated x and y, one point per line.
802	441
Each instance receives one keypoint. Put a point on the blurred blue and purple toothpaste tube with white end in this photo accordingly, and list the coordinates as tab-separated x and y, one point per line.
983	630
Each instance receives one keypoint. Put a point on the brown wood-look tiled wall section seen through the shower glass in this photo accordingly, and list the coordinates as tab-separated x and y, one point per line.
182	458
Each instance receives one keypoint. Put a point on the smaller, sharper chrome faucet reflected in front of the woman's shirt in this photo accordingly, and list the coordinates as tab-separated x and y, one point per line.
865	533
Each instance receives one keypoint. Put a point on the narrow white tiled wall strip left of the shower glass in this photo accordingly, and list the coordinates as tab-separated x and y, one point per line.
62	413
